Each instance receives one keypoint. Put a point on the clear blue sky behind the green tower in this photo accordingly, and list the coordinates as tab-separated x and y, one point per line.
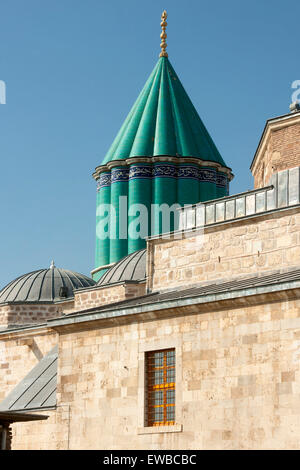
73	69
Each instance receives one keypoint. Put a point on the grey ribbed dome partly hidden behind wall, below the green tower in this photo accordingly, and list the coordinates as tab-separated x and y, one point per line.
130	268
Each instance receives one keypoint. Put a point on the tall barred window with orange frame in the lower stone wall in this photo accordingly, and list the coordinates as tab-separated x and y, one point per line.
161	387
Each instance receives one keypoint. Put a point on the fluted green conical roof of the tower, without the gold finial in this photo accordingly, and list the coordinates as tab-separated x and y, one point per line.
163	121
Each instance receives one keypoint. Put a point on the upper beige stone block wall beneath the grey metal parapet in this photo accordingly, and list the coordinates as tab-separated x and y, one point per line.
226	251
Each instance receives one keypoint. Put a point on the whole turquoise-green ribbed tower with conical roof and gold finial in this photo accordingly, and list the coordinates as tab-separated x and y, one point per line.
162	154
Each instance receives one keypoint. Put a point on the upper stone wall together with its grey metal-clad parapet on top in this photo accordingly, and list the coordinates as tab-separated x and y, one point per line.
263	236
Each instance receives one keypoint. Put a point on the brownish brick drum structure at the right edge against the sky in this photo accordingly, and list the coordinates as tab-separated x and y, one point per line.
278	150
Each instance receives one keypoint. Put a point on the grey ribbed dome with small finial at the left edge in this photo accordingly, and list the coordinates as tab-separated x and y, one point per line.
44	285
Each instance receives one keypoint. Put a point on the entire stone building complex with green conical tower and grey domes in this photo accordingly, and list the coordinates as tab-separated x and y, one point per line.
184	340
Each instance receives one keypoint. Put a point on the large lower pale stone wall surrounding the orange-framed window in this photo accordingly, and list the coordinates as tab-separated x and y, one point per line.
237	380
